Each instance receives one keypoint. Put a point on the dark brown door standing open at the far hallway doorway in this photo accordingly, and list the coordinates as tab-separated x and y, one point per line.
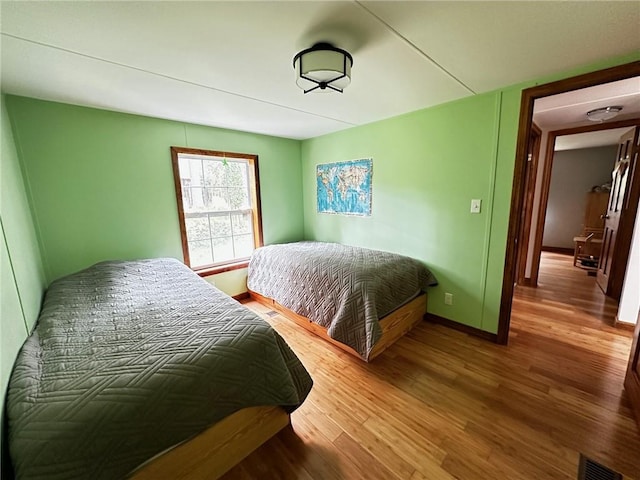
621	179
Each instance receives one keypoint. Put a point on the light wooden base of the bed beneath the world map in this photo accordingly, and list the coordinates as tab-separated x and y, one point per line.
394	325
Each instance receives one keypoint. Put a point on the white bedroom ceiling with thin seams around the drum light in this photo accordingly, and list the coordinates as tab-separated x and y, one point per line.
229	64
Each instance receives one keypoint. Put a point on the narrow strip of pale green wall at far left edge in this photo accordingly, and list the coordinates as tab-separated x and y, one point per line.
22	280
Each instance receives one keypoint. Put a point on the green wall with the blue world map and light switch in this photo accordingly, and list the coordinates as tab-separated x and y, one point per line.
427	166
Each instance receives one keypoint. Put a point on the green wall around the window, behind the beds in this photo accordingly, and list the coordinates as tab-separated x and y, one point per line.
102	183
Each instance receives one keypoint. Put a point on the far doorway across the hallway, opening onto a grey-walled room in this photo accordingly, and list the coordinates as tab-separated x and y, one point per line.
573	228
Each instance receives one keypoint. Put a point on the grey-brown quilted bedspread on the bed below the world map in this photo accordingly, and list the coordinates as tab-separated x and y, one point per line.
342	288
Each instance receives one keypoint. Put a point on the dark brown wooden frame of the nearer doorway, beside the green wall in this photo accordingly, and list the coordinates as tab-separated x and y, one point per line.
525	121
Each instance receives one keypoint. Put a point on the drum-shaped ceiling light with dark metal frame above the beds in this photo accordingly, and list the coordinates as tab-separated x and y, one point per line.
323	67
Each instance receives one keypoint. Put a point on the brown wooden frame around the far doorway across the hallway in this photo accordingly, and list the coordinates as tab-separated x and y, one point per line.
547	172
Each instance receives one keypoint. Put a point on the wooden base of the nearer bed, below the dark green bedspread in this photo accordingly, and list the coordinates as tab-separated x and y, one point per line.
215	451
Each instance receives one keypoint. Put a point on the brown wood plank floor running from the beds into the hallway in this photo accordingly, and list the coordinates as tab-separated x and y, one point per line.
441	404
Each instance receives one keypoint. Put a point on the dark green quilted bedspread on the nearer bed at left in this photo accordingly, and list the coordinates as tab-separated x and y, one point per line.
131	358
